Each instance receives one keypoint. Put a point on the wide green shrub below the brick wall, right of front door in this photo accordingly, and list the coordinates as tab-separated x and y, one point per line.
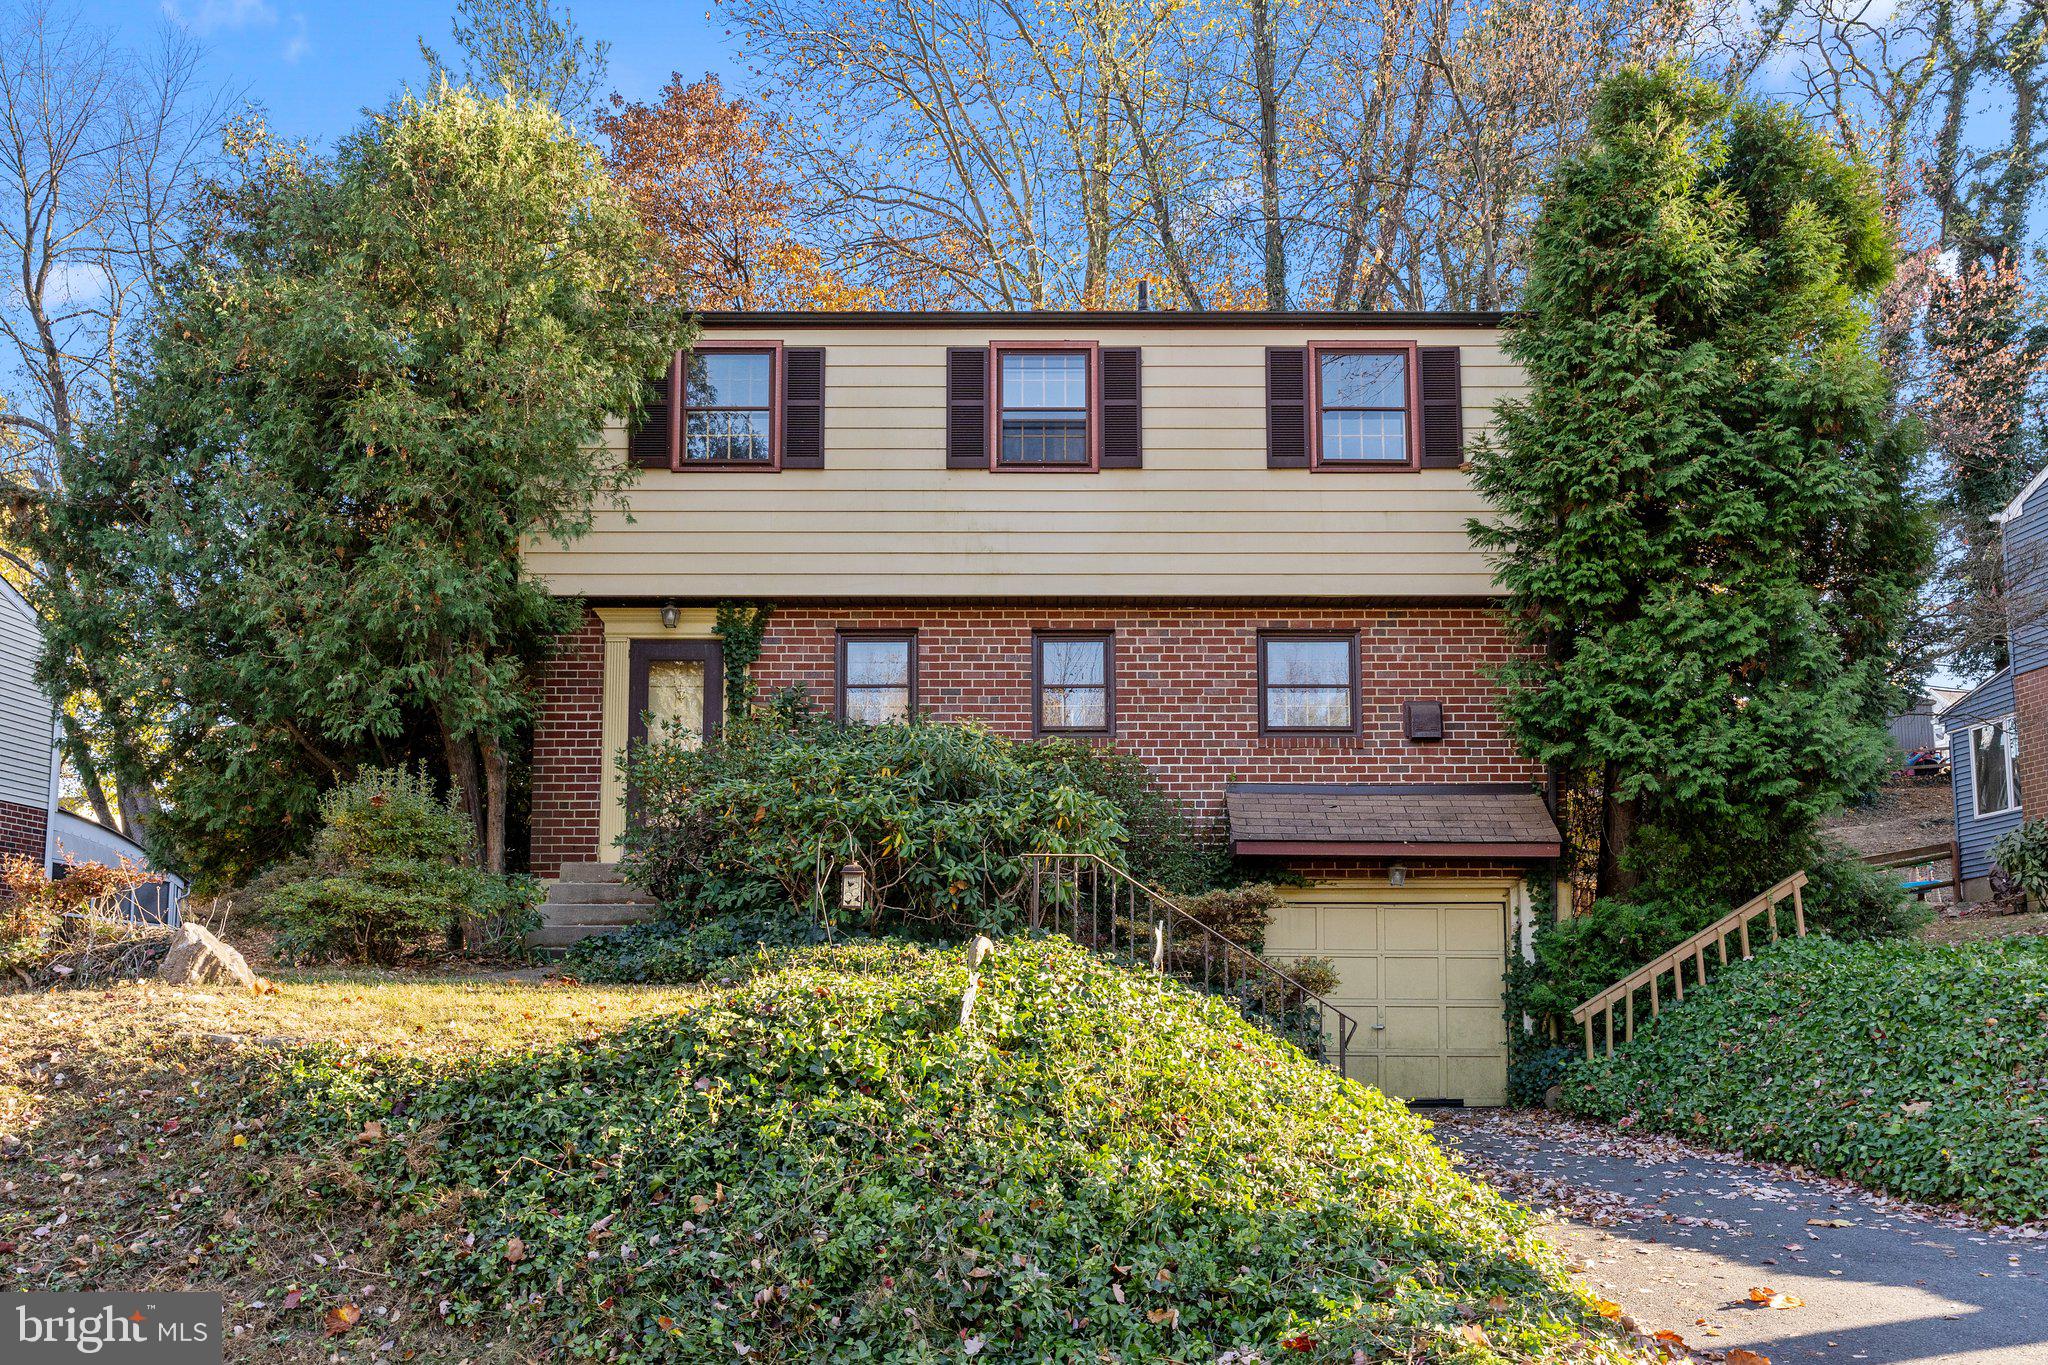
937	816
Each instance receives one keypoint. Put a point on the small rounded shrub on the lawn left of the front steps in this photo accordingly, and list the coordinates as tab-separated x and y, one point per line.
388	879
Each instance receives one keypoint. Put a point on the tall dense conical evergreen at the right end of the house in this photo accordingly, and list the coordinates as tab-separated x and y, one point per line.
1703	519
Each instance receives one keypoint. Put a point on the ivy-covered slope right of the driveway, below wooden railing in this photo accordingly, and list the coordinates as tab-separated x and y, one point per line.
1910	1067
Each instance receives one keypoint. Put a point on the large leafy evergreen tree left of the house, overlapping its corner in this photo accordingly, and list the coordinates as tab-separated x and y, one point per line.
376	384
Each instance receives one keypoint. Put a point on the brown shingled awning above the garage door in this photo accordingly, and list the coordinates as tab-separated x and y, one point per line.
1390	822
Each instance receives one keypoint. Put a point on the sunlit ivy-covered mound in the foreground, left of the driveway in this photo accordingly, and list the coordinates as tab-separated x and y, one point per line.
816	1165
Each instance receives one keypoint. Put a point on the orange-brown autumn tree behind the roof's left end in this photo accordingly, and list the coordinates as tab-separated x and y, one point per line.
703	175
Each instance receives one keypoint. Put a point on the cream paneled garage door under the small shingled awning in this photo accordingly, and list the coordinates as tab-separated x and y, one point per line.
1422	977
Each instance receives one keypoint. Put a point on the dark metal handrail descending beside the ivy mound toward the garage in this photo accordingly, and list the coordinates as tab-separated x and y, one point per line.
1058	885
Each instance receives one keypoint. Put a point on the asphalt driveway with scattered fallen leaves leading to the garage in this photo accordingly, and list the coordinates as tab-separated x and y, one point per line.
1680	1239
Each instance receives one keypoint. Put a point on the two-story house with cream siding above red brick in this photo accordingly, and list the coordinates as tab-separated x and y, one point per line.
1230	543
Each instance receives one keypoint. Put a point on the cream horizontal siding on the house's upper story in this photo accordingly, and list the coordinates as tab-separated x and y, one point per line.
1203	519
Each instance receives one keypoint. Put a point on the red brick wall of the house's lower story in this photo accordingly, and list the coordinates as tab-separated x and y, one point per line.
1187	695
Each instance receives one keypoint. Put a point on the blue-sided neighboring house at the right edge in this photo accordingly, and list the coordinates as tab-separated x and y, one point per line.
2000	730
